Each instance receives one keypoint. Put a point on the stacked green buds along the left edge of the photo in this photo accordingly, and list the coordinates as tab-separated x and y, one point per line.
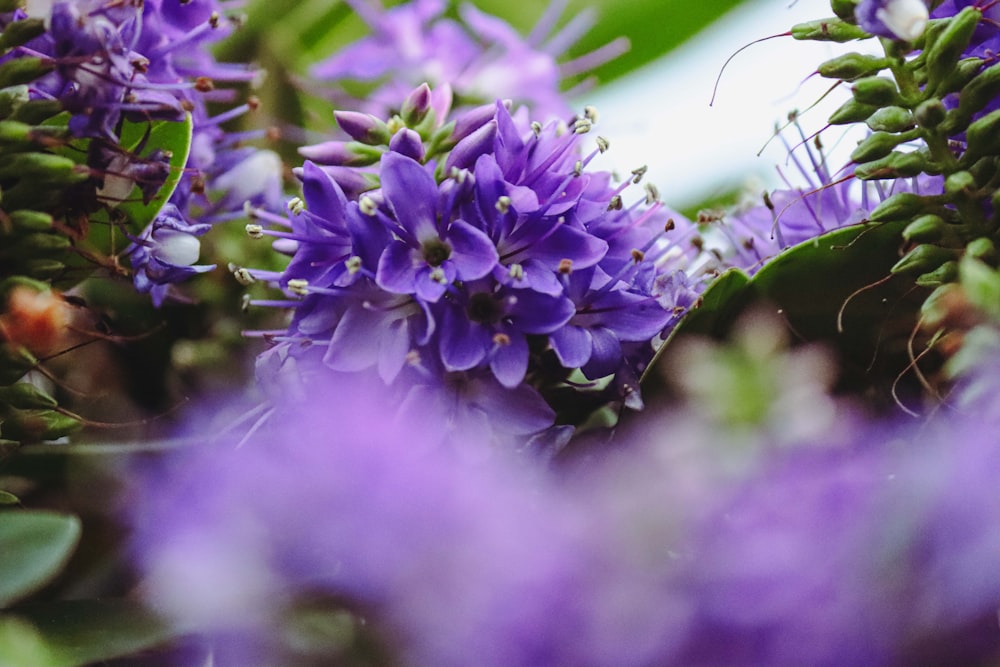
37	174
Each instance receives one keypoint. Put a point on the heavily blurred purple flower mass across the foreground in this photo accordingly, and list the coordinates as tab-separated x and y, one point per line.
877	549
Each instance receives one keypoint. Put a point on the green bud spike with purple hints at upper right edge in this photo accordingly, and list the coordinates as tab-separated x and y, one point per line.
929	111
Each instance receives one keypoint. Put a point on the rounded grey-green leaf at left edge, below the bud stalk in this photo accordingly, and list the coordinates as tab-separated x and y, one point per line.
34	547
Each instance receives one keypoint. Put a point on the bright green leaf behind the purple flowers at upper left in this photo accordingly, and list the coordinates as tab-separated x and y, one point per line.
170	136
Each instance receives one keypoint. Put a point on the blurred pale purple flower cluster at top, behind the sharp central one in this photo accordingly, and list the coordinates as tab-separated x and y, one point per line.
481	57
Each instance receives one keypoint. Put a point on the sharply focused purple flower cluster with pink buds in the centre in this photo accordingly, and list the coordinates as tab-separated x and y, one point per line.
504	261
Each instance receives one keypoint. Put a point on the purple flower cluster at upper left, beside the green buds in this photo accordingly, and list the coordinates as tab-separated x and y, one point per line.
146	61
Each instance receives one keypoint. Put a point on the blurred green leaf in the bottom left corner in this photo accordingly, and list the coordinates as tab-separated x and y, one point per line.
78	632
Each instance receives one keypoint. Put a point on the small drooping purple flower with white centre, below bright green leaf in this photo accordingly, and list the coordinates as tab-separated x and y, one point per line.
166	253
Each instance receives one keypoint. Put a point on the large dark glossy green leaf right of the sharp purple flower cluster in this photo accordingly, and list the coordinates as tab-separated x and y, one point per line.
836	289
